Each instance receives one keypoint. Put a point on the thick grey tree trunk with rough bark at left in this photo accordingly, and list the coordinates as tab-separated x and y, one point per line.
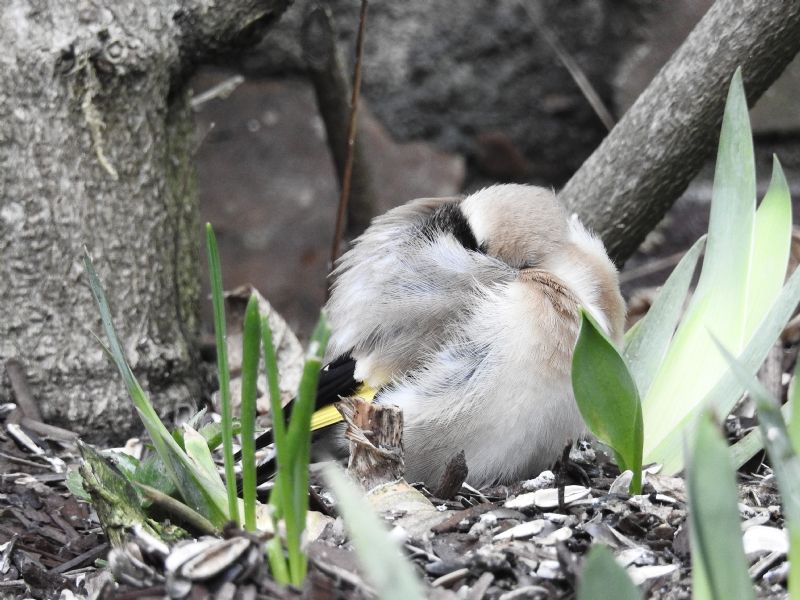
95	148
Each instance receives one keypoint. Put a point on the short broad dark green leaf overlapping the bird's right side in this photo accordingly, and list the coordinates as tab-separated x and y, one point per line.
607	397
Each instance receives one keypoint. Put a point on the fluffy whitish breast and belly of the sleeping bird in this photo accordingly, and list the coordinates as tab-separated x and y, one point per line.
491	392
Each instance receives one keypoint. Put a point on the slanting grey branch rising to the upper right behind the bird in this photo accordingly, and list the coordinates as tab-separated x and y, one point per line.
624	189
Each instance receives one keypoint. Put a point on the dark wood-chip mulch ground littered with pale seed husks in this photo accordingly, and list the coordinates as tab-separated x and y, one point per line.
501	543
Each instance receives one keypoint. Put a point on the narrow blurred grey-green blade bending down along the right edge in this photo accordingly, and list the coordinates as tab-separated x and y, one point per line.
785	461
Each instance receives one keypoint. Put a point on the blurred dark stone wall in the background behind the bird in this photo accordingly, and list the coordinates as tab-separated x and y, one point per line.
457	94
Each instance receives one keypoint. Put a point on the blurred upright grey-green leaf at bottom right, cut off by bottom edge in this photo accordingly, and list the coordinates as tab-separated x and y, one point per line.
718	560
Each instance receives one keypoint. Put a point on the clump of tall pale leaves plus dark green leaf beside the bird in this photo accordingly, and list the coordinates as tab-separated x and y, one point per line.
740	298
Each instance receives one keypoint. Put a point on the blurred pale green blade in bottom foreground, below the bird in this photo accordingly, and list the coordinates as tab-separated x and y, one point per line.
384	566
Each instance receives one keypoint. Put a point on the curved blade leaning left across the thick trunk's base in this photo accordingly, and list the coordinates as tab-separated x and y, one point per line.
195	489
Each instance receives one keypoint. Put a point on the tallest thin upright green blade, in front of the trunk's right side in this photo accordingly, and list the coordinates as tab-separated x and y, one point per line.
215	276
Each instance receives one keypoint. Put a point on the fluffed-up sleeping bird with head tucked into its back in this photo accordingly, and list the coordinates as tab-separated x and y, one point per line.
464	312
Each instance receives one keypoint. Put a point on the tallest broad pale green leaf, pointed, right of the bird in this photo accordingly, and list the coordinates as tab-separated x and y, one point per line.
692	367
